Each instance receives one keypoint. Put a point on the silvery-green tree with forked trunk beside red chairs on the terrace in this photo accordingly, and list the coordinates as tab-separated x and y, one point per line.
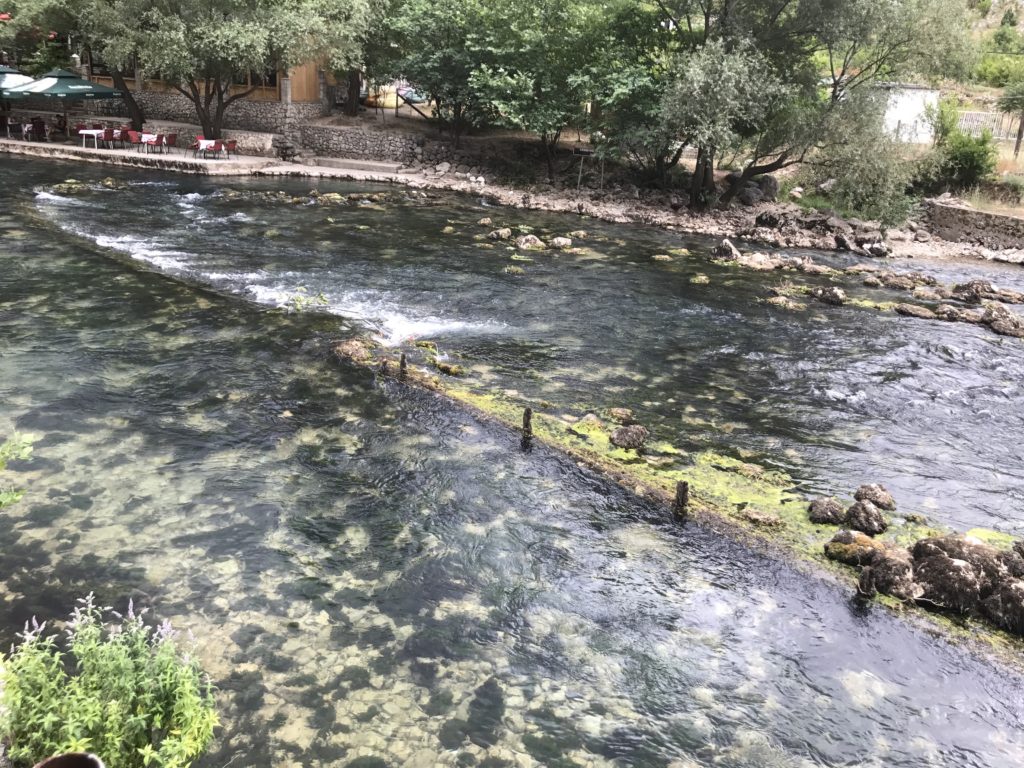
203	48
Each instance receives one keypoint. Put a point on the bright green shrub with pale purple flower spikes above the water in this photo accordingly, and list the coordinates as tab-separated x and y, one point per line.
127	694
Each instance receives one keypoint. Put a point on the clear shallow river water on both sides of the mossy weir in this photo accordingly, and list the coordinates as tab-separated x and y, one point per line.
376	579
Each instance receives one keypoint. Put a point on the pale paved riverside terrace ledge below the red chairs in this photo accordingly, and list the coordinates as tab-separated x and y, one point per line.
181	163
